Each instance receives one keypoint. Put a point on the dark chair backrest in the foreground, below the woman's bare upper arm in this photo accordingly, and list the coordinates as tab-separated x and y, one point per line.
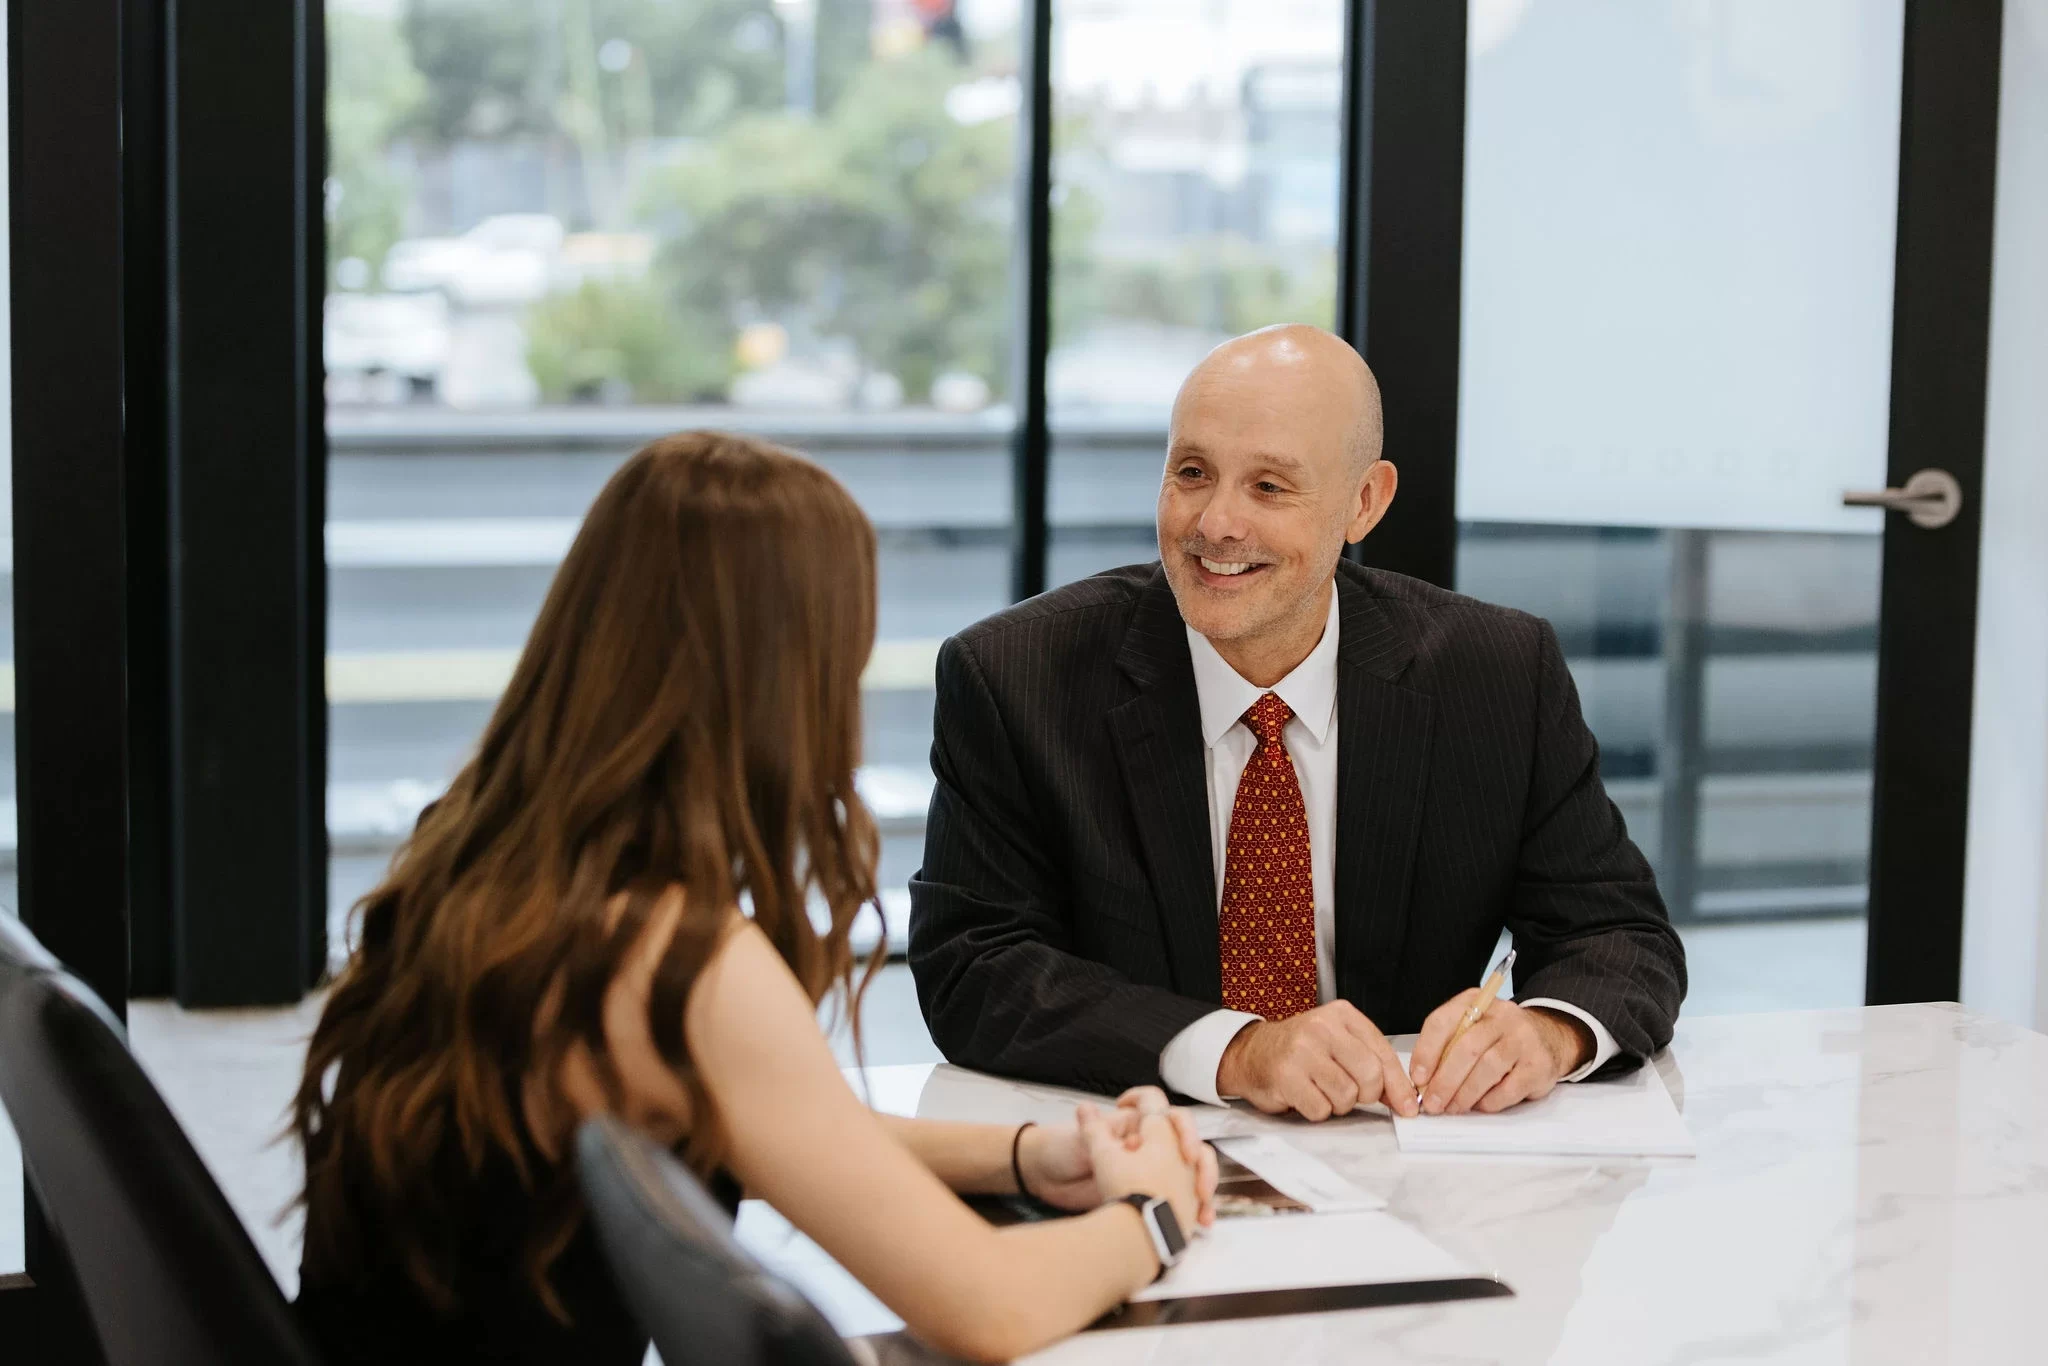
671	1246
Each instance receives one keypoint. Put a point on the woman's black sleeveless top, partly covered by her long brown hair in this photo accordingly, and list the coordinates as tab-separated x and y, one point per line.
499	1318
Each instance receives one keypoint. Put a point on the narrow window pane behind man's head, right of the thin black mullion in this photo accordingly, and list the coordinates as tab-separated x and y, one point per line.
1195	198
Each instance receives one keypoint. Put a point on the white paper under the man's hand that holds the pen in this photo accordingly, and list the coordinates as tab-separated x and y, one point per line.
1627	1117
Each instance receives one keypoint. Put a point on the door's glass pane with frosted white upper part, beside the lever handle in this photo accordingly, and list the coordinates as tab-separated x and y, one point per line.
1678	278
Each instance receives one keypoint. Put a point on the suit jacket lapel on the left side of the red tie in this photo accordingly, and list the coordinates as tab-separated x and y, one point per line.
1158	740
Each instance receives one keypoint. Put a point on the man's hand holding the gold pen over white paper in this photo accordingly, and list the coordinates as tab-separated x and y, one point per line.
1514	1054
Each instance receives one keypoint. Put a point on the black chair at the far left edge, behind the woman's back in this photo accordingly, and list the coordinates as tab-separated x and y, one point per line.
165	1267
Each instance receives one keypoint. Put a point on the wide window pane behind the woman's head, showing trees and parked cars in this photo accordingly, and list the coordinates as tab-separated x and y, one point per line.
560	230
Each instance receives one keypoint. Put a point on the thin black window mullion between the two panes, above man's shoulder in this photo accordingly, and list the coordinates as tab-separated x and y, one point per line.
1031	450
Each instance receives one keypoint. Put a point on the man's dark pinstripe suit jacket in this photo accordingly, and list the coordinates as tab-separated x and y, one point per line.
1064	925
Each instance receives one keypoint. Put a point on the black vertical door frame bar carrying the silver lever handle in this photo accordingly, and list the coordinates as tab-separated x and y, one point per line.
1949	155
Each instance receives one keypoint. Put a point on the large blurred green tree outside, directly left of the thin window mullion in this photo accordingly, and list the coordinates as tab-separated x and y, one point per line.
886	222
